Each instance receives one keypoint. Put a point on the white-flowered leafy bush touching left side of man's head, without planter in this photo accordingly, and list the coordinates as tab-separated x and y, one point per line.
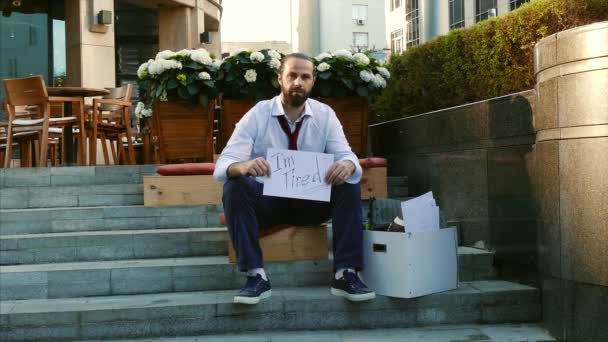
250	75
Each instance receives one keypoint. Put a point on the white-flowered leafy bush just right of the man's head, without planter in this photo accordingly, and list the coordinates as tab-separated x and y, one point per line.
342	73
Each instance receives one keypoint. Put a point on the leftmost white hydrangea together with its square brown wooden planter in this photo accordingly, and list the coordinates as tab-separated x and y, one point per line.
178	90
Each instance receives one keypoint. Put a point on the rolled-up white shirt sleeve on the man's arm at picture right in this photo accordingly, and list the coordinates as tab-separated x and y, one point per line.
339	147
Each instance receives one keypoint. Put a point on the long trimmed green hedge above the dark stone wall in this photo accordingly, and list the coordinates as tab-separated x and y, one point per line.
489	59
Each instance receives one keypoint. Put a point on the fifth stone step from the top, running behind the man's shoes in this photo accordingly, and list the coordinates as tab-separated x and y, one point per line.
117	277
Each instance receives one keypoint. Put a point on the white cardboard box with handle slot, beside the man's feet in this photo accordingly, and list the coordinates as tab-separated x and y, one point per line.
410	264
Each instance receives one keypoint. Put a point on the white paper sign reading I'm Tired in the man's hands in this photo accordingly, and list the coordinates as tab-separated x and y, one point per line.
298	174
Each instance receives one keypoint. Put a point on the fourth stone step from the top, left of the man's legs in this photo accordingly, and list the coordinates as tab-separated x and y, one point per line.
112	245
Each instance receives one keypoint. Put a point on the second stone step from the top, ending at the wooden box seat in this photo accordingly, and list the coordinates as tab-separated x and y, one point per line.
72	196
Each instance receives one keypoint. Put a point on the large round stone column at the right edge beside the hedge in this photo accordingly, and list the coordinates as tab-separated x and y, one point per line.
571	125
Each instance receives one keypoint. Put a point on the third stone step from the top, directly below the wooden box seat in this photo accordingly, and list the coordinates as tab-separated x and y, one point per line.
80	219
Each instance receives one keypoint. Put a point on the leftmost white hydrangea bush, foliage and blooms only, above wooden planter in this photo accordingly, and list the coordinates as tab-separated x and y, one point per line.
184	75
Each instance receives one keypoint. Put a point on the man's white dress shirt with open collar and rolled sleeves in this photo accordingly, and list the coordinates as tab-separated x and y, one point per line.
259	130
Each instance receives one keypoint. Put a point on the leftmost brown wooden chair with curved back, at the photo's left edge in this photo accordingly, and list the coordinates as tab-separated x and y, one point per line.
27	92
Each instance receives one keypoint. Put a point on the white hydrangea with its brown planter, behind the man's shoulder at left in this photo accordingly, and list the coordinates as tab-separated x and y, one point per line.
245	78
